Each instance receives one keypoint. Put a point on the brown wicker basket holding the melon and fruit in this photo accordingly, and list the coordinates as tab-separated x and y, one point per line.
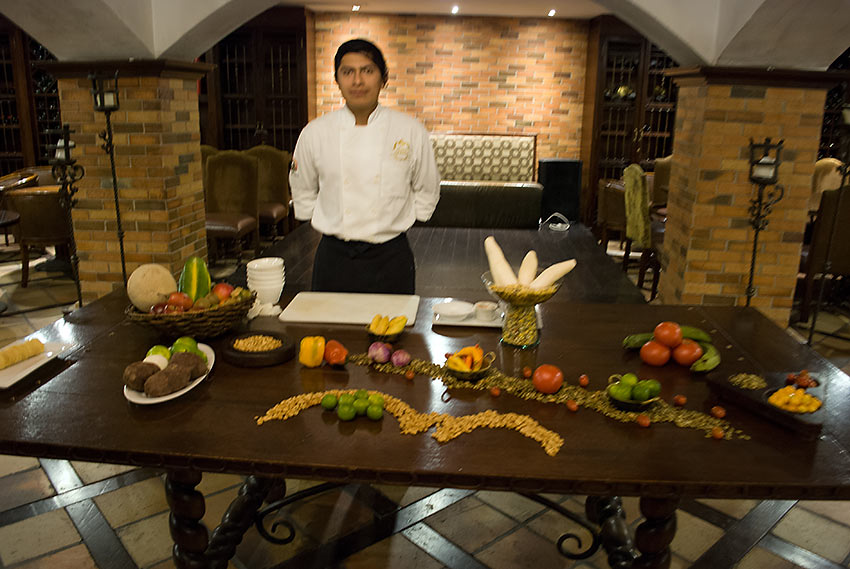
204	324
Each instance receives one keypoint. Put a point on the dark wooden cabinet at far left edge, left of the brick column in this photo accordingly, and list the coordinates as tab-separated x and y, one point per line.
29	100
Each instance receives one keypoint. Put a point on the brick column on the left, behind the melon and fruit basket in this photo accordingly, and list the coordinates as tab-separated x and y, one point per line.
158	167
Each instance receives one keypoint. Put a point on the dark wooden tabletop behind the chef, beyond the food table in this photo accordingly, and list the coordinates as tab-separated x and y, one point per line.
450	261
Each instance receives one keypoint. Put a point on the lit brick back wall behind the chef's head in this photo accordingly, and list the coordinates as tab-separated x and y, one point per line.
467	74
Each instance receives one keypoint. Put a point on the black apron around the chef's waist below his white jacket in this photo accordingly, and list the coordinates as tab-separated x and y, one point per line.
358	266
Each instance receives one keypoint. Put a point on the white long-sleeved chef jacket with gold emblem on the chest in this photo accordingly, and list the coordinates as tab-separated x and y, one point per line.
364	183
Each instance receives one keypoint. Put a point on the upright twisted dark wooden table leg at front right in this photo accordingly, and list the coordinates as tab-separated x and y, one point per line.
654	535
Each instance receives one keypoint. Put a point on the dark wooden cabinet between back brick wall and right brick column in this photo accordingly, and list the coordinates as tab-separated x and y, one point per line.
629	109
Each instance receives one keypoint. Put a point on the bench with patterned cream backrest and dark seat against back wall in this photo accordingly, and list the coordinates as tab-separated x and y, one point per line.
487	181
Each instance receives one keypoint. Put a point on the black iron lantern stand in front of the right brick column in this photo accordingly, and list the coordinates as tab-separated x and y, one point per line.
764	172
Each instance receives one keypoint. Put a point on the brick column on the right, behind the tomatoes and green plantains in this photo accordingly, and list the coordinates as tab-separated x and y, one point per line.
708	241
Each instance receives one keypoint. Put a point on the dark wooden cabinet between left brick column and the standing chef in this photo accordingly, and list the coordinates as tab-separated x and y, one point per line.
260	80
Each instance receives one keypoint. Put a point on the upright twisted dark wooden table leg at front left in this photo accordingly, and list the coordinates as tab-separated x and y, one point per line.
187	509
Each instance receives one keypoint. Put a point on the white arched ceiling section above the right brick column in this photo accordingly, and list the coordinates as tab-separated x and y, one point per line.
742	33
